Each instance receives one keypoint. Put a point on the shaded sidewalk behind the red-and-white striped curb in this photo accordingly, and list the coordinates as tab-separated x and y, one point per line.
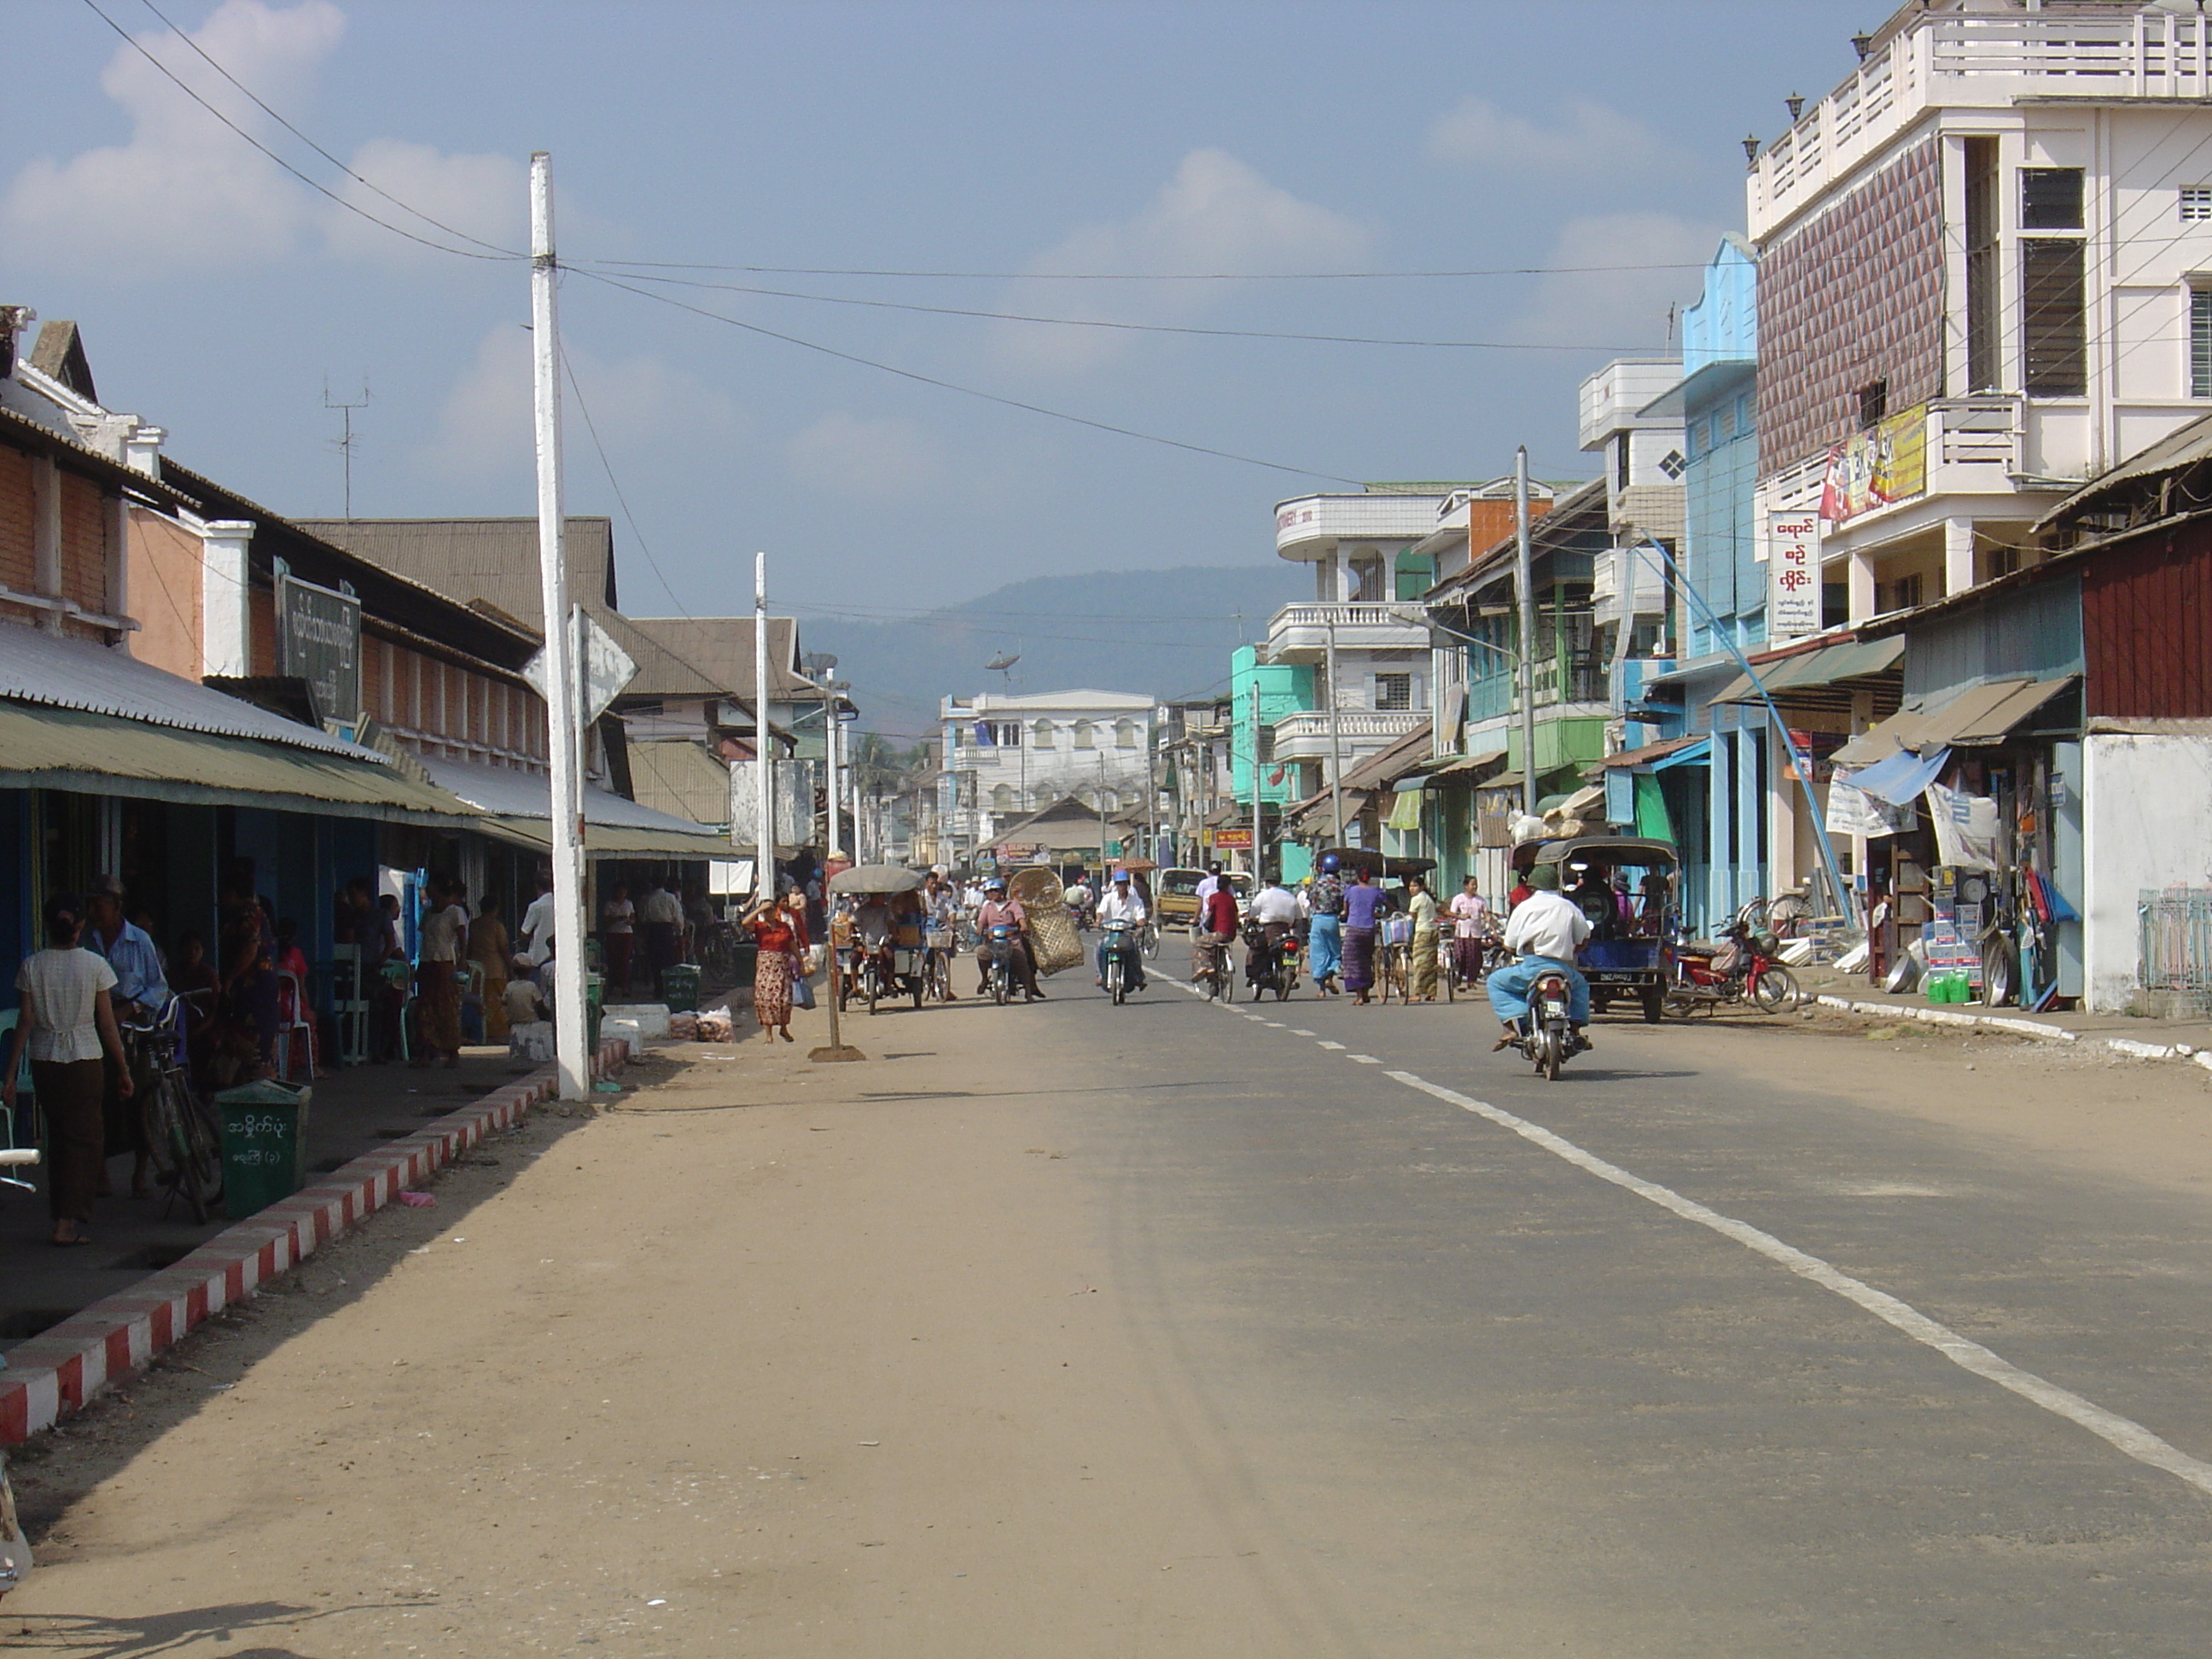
351	1114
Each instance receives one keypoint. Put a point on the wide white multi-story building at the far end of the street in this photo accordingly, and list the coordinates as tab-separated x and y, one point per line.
1010	755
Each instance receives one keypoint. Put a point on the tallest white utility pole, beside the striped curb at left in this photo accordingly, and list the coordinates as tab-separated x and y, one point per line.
563	718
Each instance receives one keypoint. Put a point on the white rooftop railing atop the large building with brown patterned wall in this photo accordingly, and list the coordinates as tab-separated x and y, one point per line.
1976	61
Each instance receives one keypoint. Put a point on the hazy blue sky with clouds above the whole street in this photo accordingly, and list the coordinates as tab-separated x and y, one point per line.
1313	156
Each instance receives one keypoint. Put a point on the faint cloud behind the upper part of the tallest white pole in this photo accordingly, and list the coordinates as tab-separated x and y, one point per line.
638	404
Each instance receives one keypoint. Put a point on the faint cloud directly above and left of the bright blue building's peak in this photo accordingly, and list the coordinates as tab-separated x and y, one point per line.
1609	306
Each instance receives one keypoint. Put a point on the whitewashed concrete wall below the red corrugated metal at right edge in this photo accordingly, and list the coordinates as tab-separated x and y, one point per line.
2147	804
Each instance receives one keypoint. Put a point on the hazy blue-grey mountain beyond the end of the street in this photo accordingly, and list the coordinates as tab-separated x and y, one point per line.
1167	634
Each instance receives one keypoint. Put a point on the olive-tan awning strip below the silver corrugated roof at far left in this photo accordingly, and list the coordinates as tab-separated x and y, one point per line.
72	749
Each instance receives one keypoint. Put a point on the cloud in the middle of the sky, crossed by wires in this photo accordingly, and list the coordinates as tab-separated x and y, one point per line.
1215	216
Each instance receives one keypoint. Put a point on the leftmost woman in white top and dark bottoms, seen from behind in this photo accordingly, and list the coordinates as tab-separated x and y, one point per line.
70	1027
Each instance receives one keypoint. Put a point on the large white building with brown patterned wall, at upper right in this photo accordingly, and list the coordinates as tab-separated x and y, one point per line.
1985	273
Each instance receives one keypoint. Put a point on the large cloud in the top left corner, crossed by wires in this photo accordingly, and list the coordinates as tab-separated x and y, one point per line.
185	187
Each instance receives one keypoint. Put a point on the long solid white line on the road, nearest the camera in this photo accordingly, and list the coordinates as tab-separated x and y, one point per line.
2122	1434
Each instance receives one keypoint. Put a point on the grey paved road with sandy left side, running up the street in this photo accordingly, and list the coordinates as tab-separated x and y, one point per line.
1165	1331
